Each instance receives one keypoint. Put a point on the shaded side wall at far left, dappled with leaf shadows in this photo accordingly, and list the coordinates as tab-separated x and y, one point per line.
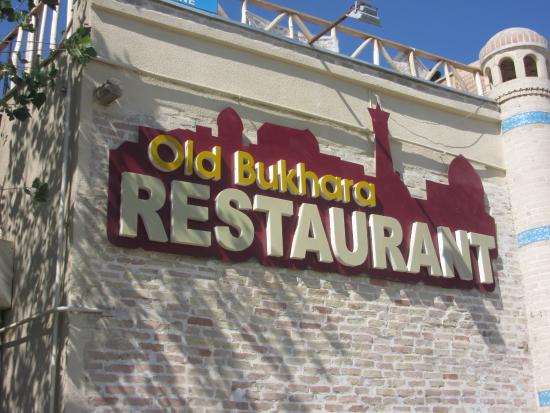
31	149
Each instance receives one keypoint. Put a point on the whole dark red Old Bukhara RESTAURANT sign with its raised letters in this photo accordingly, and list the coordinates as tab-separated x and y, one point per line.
283	202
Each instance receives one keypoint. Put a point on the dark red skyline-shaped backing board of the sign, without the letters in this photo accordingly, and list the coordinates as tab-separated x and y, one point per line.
458	205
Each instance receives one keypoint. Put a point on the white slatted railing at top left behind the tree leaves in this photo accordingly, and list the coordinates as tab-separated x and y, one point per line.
21	47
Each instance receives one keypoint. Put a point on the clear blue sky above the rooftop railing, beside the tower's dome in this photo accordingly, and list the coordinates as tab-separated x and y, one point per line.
453	29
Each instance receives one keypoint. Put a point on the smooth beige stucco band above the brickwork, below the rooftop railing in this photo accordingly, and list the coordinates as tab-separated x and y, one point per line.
285	76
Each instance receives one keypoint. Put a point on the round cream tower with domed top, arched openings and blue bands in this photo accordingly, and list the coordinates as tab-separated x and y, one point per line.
516	63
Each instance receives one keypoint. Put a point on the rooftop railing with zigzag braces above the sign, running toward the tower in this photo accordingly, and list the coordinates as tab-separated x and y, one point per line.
383	52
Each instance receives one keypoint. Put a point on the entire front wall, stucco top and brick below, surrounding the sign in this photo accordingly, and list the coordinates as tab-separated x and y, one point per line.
205	336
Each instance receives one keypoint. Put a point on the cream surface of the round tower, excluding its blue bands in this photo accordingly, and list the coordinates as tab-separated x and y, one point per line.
526	151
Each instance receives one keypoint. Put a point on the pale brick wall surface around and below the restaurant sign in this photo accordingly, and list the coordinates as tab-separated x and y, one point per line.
188	335
